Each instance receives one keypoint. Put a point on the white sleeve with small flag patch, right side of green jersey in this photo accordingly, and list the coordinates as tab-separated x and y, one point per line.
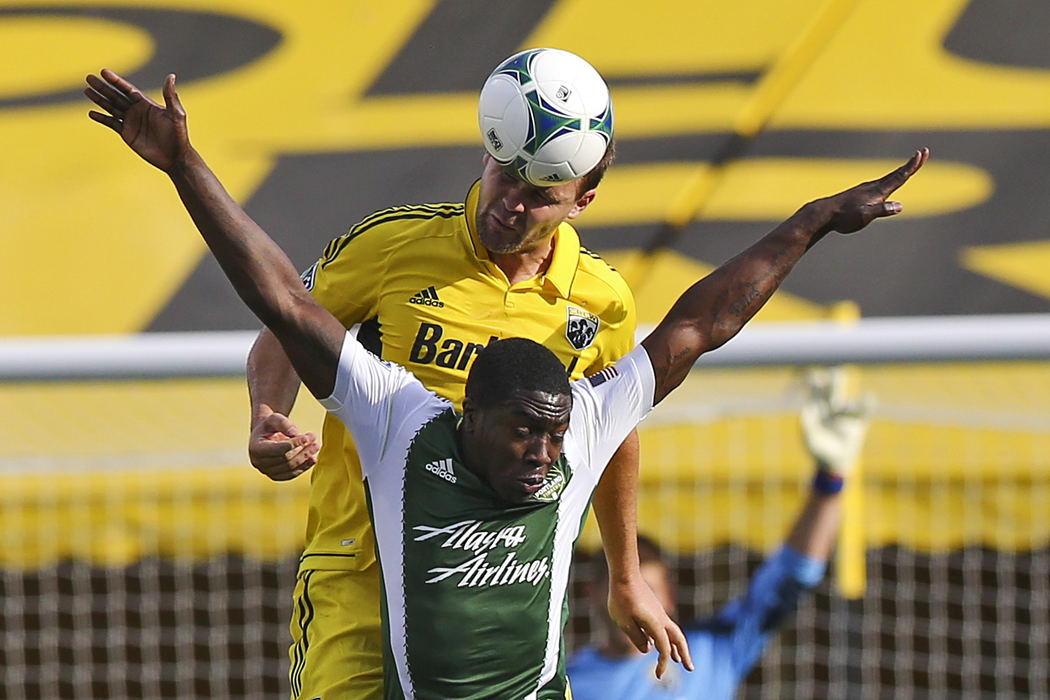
606	407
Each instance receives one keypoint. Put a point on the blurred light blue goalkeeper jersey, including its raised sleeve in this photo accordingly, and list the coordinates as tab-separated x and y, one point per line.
724	648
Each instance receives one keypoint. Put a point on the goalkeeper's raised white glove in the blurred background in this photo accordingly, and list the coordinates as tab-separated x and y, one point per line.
834	428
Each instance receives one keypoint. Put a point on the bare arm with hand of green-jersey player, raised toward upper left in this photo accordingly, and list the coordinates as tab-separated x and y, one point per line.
261	273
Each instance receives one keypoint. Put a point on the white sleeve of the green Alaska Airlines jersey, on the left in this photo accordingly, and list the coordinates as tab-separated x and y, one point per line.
373	398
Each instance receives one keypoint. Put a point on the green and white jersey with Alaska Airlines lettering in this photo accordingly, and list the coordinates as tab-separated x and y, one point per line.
475	588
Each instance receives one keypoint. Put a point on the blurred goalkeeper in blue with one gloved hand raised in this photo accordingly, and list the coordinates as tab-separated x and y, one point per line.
727	646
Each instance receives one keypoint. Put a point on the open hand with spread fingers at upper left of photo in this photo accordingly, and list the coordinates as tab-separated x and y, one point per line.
156	133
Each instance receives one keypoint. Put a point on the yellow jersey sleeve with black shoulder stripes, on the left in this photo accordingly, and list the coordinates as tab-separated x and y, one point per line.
348	278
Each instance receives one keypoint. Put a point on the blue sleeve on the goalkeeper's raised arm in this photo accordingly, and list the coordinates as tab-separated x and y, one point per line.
745	626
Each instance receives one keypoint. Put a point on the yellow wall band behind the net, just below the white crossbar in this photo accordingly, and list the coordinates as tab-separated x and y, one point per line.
114	472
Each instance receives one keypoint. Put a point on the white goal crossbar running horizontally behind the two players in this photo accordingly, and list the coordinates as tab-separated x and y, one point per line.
867	342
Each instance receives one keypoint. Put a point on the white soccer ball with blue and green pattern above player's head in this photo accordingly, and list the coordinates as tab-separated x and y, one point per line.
547	116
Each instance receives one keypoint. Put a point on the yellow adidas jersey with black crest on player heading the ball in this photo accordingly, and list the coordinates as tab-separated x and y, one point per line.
422	285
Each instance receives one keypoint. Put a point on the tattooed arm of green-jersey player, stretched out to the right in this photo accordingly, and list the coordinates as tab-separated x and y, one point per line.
716	309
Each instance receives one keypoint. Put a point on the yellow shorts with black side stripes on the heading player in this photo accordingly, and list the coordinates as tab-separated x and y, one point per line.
338	648
